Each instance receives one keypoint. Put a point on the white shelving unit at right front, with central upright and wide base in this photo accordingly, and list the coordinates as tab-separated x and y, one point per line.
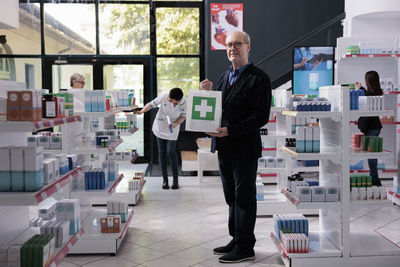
346	246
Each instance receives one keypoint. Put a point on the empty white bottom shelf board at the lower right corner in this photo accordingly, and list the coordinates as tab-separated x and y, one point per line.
370	243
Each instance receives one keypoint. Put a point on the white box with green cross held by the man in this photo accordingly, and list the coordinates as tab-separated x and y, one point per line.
204	111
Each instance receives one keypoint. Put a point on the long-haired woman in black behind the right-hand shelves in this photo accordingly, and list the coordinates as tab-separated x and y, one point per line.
371	126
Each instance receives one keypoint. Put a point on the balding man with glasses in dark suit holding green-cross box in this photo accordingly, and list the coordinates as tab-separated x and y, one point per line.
246	101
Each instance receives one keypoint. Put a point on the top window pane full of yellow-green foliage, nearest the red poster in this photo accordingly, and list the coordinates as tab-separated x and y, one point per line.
177	31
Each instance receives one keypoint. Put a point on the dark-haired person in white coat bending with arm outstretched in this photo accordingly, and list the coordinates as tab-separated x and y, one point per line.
171	113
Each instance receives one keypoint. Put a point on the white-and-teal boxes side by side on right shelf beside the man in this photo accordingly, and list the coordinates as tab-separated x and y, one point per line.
308	139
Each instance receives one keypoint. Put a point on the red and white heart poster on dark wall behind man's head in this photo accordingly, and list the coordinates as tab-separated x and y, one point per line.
225	18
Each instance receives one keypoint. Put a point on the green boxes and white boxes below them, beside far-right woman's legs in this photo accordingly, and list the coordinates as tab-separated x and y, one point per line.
362	189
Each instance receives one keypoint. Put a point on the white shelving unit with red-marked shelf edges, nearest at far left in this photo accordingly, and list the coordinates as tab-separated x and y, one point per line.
14	226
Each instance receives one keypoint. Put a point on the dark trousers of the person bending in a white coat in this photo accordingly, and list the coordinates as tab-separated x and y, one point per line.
167	148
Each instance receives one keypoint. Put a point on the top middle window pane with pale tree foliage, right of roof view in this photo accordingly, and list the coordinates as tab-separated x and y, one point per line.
124	29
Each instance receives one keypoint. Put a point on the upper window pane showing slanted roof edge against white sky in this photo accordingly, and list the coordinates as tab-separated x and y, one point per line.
70	29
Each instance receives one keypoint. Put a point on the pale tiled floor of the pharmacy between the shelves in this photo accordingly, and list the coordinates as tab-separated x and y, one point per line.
181	227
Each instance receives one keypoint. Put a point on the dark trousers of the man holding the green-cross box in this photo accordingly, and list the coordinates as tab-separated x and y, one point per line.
239	184
